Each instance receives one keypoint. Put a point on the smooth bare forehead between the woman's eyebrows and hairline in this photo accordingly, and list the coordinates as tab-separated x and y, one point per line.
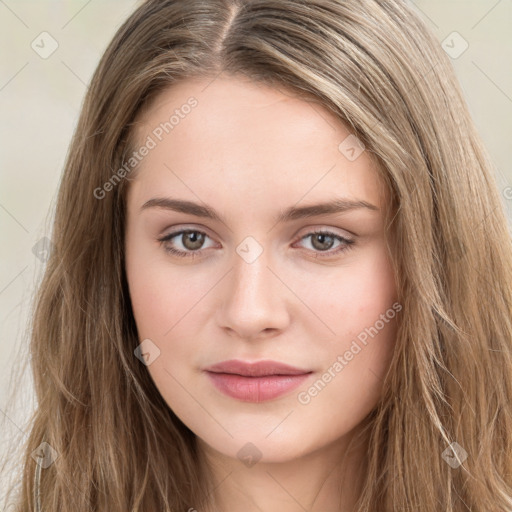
249	138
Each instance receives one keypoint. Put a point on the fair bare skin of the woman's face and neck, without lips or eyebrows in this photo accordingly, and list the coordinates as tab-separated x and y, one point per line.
250	151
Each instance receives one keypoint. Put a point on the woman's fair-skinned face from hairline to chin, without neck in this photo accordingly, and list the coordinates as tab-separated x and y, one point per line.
229	259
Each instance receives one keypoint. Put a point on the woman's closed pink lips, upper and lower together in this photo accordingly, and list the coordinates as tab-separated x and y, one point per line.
255	382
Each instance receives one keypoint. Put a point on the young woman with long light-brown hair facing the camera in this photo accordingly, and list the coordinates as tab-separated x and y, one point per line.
196	346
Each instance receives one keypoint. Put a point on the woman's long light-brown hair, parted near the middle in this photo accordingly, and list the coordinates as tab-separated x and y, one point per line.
448	394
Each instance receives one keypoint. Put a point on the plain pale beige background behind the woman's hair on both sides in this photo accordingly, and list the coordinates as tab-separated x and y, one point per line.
40	99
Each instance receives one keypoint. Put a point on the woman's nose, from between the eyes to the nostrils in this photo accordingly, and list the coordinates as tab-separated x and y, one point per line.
254	300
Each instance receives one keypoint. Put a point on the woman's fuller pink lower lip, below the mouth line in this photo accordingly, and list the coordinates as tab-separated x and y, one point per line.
256	389
